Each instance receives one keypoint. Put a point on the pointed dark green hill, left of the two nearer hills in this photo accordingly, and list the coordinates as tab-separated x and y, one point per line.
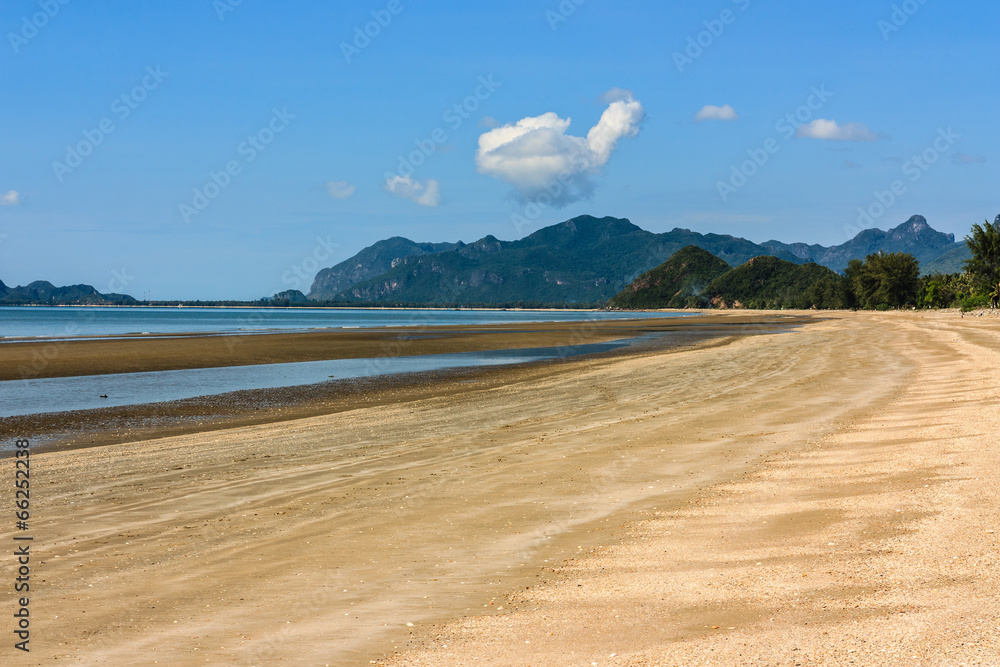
677	283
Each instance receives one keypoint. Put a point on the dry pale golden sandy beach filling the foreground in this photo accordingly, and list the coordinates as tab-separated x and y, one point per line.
826	496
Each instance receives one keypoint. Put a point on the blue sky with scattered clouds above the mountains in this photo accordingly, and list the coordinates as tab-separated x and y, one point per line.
209	85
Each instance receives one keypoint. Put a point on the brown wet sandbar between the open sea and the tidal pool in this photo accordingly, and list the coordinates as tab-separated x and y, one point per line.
133	354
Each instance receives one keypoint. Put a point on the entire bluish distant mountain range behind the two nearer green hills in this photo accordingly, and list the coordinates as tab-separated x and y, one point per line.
585	260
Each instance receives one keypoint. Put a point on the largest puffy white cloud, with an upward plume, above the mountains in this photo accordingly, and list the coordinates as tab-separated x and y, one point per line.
537	157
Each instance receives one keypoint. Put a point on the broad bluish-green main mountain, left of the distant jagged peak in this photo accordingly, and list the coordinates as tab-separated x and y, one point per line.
583	260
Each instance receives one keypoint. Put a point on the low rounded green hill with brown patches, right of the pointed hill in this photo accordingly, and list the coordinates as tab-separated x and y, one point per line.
769	282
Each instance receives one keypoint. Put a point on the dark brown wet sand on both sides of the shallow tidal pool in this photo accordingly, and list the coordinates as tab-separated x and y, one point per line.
87	428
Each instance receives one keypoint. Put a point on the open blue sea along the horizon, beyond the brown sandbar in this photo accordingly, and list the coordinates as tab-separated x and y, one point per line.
58	322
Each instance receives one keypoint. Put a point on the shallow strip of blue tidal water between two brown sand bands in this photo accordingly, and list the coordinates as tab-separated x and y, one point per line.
22	397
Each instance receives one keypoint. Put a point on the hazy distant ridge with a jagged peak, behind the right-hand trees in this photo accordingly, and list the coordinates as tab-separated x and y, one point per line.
914	236
